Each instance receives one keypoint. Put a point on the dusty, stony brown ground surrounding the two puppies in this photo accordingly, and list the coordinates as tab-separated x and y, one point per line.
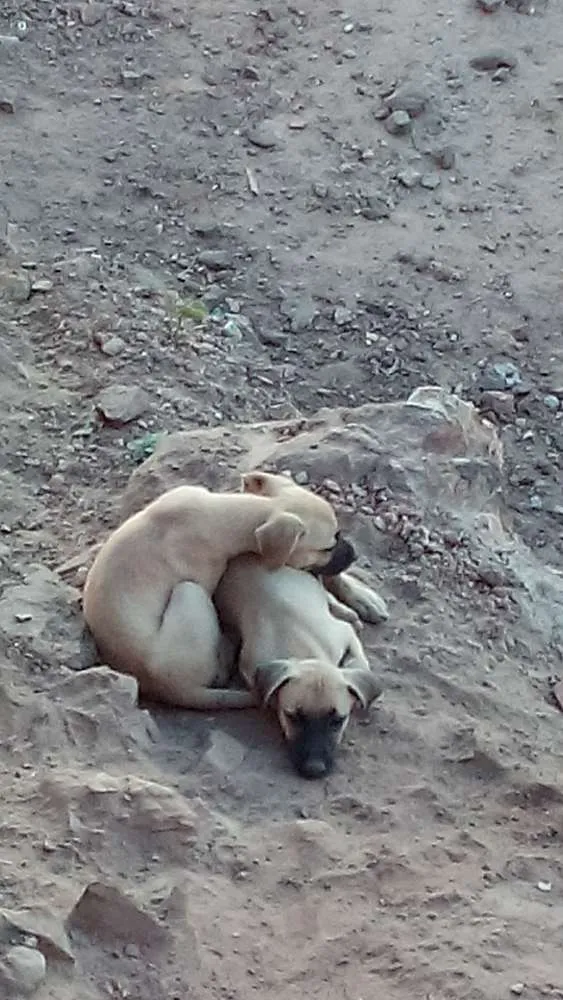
224	212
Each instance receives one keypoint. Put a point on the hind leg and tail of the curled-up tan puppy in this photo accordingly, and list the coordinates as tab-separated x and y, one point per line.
185	659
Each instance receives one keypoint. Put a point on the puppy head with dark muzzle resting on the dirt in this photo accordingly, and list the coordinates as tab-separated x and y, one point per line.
314	702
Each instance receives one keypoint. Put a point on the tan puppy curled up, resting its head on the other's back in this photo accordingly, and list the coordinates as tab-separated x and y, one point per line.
147	598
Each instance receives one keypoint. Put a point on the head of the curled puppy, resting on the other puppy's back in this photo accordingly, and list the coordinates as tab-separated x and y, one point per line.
302	530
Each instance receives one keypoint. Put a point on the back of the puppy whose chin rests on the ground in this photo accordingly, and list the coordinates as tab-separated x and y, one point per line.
278	614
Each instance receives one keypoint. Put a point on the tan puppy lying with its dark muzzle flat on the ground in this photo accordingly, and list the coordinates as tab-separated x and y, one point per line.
293	648
